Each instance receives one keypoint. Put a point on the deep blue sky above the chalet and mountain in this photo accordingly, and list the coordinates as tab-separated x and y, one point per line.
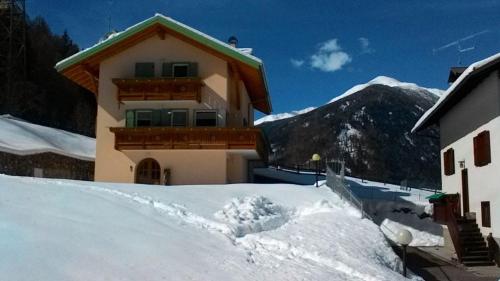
313	50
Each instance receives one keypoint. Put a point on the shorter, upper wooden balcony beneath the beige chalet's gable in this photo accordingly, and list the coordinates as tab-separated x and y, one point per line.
141	89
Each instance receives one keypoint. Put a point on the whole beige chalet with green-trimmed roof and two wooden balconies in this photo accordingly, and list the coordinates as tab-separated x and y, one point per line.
175	106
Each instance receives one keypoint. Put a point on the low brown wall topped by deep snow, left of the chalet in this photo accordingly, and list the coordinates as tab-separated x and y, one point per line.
32	150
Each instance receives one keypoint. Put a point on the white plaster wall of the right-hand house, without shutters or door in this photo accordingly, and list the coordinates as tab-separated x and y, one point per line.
483	181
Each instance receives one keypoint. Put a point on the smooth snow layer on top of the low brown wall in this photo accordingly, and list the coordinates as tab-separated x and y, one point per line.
22	138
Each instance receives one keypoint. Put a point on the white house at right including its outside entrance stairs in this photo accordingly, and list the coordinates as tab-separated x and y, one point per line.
468	116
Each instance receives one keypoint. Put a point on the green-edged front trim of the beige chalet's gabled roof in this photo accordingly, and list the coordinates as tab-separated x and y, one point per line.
171	24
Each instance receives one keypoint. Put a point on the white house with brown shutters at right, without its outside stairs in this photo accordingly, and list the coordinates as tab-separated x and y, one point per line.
468	116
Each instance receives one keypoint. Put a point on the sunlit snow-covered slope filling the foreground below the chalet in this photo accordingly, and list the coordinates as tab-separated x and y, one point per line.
71	230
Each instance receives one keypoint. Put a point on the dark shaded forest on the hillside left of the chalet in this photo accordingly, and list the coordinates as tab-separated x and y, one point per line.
37	92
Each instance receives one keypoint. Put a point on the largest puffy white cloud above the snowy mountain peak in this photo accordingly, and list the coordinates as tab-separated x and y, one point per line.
330	57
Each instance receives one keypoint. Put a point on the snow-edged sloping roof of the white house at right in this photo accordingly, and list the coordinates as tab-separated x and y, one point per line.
458	90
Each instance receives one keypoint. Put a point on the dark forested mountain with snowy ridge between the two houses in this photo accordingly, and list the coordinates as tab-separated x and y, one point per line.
369	127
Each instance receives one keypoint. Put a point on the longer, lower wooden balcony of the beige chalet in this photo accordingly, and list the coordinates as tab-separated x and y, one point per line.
190	138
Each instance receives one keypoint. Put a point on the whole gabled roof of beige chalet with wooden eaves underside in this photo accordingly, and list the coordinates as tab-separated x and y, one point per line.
83	67
